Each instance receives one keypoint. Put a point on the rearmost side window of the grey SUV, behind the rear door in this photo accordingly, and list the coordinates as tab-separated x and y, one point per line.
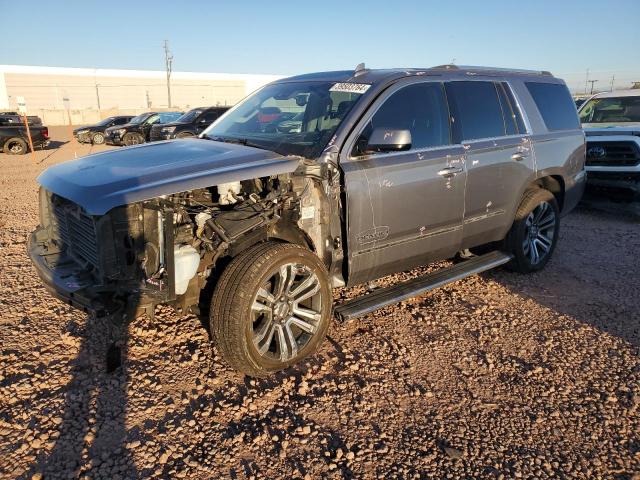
555	105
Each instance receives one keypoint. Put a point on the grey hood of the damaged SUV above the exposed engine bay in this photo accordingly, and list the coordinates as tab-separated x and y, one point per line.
105	180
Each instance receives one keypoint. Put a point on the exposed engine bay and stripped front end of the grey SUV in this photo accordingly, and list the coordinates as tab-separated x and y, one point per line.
168	249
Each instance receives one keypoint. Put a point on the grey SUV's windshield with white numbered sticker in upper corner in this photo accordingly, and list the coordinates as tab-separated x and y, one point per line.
289	118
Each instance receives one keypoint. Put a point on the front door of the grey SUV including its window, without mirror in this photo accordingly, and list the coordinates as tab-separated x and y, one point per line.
406	208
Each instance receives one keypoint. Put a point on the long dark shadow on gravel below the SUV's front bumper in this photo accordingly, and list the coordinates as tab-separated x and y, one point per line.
92	431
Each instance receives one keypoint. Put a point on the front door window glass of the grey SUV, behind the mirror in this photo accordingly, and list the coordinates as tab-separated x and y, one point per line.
420	108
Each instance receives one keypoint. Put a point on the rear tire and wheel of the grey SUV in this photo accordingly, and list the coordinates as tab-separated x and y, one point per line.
534	233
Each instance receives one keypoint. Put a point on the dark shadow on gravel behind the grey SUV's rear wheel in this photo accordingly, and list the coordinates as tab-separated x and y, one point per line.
591	276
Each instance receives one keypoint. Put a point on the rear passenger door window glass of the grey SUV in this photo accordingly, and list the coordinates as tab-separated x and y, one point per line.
476	110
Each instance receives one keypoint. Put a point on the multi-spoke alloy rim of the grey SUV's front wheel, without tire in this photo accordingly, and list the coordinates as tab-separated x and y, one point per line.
286	312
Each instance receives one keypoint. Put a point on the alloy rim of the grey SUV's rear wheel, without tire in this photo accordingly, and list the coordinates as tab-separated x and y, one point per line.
540	228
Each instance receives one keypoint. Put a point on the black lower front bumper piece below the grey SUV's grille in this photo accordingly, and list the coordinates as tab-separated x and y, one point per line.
67	280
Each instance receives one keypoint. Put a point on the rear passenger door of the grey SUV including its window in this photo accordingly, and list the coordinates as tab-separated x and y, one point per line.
488	124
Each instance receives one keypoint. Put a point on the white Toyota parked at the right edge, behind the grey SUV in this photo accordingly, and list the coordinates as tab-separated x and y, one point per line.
611	122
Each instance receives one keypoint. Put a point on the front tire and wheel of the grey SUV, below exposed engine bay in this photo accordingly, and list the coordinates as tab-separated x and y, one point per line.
248	329
